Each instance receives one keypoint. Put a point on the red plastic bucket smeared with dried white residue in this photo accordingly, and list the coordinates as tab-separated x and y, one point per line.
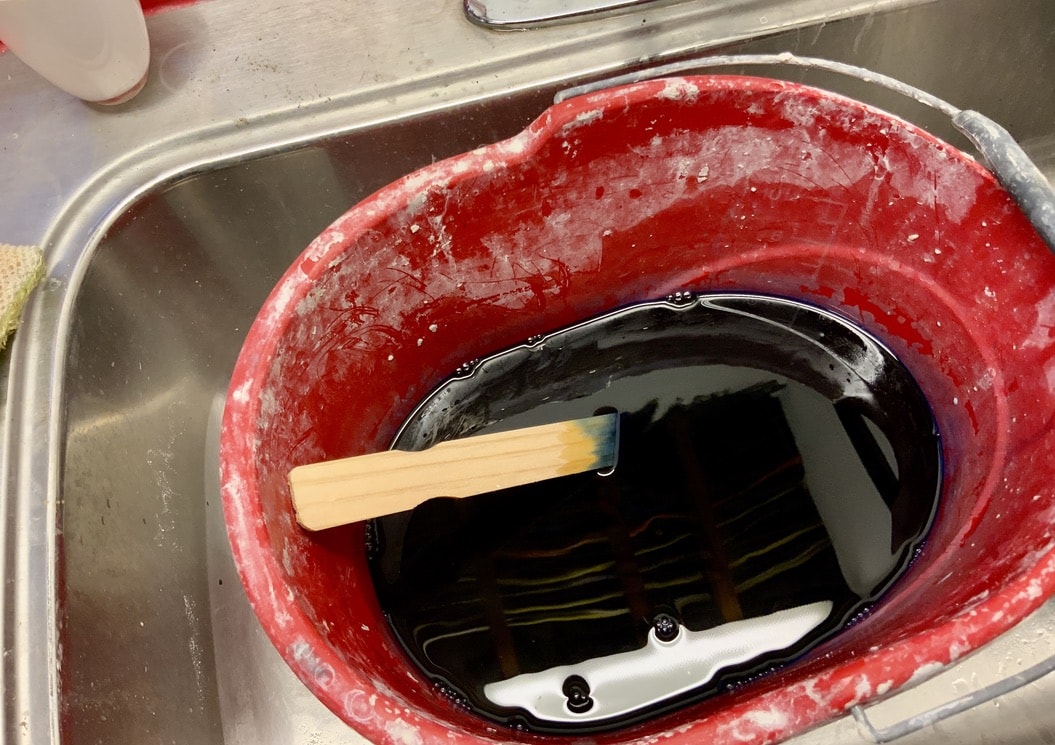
634	194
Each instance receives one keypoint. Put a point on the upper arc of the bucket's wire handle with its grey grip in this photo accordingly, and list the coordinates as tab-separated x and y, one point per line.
1003	156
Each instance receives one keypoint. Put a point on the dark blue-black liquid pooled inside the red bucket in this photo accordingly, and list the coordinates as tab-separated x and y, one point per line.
773	457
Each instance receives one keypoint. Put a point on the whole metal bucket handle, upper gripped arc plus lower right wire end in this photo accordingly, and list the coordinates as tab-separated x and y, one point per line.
1030	190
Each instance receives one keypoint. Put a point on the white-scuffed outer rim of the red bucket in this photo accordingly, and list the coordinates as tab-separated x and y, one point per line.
1019	595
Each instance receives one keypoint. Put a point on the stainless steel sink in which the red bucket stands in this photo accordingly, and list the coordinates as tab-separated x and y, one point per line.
124	620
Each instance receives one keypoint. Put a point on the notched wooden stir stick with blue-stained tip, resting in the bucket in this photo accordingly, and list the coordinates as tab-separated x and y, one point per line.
350	490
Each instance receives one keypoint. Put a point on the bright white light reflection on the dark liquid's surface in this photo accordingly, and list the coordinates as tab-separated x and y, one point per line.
621	684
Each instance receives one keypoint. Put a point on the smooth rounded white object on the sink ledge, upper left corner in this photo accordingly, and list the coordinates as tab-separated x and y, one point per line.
97	50
